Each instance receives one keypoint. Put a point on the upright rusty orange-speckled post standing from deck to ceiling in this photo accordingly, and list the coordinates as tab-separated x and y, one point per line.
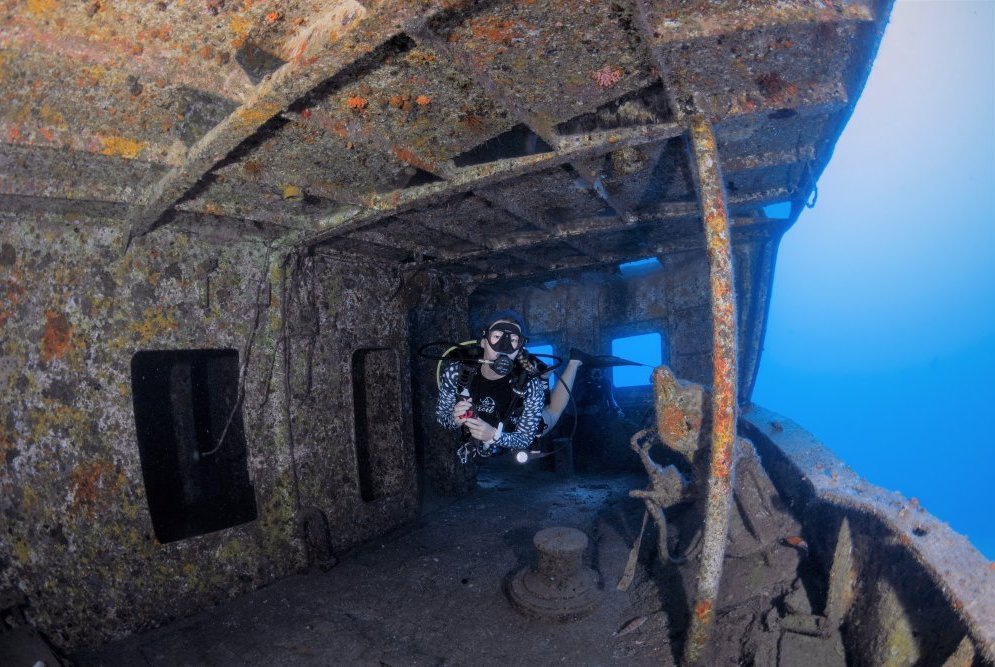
711	191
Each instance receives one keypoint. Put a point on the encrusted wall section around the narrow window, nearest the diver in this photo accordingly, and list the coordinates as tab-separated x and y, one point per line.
341	314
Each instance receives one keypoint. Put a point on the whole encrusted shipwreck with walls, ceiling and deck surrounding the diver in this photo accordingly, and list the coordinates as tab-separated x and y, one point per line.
228	228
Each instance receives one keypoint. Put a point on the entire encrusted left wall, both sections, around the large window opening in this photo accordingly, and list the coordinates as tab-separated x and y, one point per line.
77	544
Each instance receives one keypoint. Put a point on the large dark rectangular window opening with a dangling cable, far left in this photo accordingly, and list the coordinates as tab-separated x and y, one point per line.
183	400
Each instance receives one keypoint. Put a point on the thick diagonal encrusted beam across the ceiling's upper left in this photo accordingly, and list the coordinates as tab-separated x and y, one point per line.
359	32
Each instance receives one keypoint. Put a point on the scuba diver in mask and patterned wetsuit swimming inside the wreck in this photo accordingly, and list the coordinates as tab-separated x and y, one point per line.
498	394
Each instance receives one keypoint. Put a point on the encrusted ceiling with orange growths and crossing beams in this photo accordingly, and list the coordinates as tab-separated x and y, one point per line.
497	138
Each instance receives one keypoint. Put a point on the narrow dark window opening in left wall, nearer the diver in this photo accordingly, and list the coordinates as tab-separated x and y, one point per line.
377	417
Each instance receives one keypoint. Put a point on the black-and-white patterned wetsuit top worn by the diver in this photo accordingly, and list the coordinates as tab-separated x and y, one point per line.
491	401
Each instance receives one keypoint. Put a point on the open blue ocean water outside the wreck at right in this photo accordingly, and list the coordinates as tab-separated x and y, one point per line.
881	337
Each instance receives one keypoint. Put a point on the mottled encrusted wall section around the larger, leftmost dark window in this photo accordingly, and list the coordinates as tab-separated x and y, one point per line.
77	537
